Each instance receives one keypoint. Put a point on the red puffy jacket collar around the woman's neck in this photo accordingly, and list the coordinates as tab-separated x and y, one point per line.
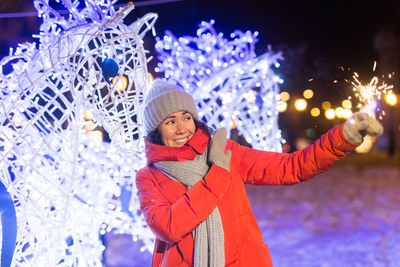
196	145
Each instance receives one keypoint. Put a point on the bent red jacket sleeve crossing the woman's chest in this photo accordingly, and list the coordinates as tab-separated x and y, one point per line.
171	221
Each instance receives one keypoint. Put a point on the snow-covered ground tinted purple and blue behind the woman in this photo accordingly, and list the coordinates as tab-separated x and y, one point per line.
343	217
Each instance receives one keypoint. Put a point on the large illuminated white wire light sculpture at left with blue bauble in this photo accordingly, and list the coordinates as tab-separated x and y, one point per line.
65	186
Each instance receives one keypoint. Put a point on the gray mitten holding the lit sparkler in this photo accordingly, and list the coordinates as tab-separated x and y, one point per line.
359	125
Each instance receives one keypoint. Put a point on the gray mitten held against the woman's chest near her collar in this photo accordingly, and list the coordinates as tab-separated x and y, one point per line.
217	154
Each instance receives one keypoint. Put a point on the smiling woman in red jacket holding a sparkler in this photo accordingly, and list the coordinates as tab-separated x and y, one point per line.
192	192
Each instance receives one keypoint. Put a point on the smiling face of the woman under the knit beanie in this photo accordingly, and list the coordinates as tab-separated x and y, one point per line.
177	129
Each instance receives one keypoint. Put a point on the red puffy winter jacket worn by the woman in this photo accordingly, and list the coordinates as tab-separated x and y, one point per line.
173	212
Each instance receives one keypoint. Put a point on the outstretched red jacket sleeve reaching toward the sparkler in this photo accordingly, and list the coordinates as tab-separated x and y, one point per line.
274	168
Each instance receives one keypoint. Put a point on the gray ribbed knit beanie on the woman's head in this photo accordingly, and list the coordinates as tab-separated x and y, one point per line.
163	99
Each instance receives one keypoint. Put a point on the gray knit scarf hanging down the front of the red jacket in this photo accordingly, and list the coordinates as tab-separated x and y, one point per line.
209	234
